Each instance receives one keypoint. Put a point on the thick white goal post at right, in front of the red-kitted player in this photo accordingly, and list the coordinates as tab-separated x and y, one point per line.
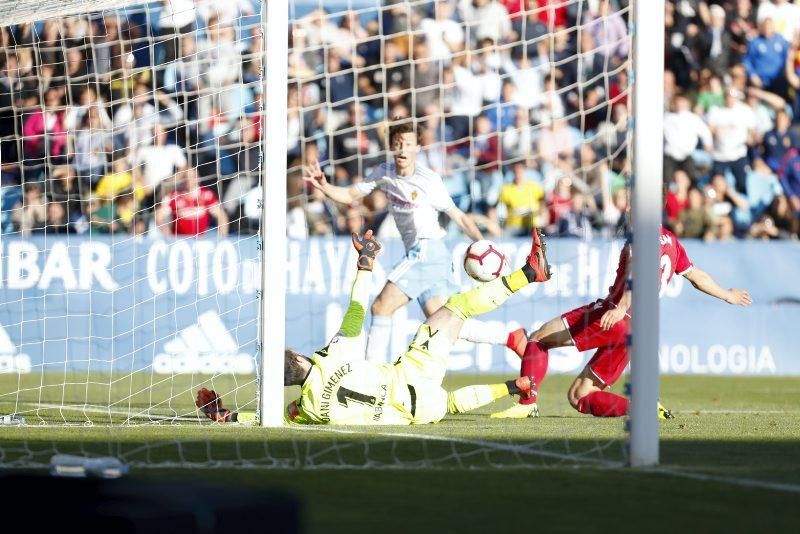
647	210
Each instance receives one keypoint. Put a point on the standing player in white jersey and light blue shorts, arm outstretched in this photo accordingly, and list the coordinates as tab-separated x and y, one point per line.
416	196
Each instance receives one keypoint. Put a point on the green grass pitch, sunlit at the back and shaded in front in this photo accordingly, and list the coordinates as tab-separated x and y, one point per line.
730	461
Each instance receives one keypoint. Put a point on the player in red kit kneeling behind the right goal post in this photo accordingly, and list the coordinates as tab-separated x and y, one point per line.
603	325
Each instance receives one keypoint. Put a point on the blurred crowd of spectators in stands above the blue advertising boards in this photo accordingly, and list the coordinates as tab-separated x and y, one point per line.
521	106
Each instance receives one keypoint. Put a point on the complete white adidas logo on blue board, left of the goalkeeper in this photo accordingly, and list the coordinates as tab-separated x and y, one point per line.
205	347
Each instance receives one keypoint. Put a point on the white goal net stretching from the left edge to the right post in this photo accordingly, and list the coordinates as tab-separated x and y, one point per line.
132	173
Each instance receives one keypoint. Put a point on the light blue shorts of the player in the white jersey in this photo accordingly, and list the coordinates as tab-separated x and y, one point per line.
425	271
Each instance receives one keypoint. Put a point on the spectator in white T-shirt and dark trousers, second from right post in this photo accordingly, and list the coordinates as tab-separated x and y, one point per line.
733	127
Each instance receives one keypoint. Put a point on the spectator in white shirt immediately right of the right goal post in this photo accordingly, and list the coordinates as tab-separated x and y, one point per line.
683	130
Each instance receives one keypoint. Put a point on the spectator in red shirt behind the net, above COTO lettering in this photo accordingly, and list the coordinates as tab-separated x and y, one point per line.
189	211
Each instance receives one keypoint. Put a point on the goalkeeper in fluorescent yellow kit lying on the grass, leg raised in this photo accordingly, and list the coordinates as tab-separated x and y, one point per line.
339	387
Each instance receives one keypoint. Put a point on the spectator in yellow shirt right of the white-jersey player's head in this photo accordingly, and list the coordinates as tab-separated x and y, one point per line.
524	203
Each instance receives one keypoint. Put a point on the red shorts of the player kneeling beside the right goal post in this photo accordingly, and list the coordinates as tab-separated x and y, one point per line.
611	357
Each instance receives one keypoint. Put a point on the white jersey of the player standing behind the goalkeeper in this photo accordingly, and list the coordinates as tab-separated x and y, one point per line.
414	201
